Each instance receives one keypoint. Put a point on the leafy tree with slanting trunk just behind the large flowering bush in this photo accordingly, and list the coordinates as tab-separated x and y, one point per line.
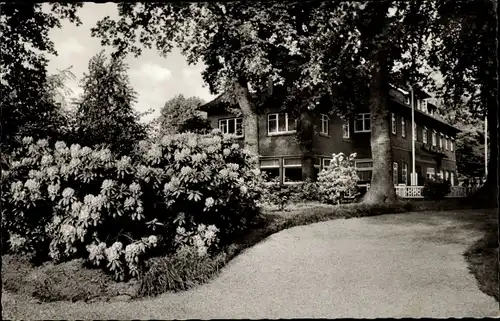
231	39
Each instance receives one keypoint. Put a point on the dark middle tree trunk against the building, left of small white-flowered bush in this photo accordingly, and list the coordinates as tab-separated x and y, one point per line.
305	133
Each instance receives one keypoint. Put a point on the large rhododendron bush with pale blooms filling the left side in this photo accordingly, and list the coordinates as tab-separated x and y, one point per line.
62	202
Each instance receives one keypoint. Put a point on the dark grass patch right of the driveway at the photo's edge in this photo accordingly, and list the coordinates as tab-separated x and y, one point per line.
482	258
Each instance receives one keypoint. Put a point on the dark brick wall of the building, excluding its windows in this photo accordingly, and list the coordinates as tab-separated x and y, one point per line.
277	147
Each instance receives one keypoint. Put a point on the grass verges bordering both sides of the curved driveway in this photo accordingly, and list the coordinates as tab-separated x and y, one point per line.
71	282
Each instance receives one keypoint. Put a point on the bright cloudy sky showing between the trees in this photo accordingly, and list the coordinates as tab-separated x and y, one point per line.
156	79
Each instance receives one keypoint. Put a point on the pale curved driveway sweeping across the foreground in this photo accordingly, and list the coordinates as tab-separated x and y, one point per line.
402	265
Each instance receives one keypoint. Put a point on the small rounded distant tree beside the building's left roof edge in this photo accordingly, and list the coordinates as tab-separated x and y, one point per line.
179	114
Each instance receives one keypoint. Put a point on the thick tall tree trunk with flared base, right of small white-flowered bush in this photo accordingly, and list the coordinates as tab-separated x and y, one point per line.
381	186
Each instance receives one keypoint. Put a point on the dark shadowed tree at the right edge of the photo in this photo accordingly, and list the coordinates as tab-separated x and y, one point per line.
466	57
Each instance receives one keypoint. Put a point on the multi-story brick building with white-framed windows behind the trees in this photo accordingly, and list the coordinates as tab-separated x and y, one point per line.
281	156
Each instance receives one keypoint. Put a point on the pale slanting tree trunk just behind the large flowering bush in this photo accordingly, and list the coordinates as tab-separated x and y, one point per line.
250	117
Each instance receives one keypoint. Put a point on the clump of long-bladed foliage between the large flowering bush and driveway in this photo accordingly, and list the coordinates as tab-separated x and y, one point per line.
178	272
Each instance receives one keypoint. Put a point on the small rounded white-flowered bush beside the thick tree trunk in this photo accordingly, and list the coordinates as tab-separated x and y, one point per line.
338	180
